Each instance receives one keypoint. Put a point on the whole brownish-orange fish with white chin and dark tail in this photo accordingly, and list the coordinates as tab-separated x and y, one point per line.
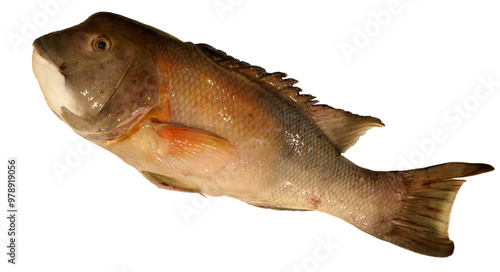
191	118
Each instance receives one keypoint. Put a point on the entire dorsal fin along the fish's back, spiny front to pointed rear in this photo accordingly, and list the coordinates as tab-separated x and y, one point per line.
342	127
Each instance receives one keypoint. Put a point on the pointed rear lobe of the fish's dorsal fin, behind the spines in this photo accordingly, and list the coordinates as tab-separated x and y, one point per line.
343	128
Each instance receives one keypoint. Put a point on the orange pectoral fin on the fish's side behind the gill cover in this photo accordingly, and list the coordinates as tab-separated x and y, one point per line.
193	149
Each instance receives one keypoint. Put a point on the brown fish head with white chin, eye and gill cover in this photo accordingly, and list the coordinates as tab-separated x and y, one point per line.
101	76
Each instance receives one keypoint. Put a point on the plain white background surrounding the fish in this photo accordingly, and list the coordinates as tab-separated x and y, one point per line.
103	216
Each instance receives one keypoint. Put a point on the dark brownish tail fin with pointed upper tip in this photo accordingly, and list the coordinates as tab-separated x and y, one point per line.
421	222
